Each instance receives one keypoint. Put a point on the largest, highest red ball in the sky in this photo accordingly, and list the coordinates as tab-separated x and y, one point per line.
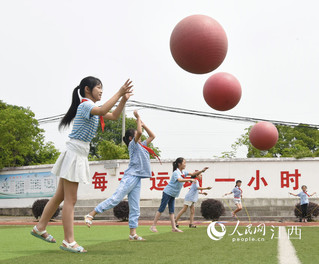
198	44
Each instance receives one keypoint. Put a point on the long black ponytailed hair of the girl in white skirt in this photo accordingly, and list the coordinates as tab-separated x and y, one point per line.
89	82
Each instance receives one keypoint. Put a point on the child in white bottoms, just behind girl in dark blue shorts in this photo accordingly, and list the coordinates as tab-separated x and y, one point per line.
190	199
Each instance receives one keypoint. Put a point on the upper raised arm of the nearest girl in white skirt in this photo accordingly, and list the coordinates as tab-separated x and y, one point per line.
107	106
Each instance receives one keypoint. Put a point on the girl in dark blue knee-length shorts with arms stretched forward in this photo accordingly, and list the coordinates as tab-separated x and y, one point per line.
172	190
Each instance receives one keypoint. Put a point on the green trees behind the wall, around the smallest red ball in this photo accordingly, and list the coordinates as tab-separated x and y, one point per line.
299	142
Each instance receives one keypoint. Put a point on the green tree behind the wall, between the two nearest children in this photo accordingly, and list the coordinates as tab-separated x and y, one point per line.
107	145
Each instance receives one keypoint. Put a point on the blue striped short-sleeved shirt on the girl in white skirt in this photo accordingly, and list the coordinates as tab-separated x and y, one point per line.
85	125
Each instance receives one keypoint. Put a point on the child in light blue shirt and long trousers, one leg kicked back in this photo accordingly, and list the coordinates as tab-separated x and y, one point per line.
130	185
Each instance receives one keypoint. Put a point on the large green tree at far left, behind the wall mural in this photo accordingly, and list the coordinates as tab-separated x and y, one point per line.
22	141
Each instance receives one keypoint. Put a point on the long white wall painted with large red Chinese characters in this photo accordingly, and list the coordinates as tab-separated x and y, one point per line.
244	169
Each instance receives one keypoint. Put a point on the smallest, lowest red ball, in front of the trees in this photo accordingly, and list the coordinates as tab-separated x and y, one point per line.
263	135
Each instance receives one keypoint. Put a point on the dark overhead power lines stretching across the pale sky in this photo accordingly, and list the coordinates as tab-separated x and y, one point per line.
133	103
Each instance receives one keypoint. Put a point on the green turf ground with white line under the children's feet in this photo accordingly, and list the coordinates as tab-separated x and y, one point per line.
107	242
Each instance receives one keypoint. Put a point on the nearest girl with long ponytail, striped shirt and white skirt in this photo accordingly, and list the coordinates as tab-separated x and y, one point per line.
72	165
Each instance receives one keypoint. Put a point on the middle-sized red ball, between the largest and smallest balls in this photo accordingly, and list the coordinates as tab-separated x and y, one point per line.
222	91
